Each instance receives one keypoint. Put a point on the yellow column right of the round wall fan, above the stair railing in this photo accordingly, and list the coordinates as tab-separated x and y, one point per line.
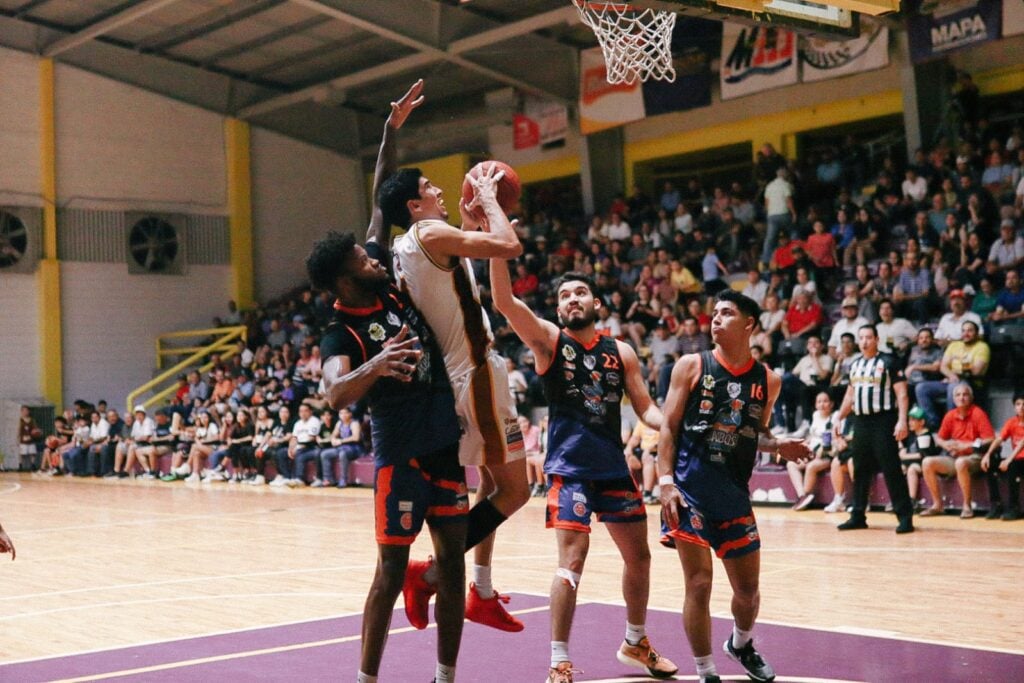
240	210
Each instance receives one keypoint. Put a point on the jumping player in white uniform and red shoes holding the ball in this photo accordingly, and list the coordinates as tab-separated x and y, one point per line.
432	264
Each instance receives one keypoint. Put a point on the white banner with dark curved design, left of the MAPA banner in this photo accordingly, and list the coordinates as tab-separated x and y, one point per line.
822	60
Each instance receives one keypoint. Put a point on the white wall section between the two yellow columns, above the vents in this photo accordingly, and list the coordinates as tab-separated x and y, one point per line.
121	148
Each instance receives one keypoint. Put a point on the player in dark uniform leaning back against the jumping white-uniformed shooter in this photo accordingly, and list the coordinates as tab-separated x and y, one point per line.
370	352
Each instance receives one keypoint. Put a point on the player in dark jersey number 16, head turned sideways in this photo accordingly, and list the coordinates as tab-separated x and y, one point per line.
716	420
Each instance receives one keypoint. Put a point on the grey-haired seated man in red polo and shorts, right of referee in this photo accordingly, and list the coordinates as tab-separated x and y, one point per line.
965	434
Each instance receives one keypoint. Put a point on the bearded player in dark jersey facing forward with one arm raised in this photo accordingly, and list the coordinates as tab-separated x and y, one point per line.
585	376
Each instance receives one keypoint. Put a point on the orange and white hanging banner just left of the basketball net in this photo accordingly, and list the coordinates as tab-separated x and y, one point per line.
602	104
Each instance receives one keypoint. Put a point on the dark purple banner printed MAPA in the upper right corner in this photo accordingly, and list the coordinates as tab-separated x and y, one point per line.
941	28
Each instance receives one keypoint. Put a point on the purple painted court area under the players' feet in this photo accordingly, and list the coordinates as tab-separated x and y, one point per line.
328	651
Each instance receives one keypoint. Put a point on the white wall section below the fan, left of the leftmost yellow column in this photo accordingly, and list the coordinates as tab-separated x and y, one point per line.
19	337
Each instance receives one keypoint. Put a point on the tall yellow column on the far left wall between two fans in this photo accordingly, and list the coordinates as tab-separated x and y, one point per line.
49	275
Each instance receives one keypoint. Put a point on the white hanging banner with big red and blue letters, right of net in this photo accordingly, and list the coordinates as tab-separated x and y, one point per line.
756	59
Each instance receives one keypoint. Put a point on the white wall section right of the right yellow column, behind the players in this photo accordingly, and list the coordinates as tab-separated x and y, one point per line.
300	193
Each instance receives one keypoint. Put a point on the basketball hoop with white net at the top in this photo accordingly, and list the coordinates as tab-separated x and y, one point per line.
636	44
